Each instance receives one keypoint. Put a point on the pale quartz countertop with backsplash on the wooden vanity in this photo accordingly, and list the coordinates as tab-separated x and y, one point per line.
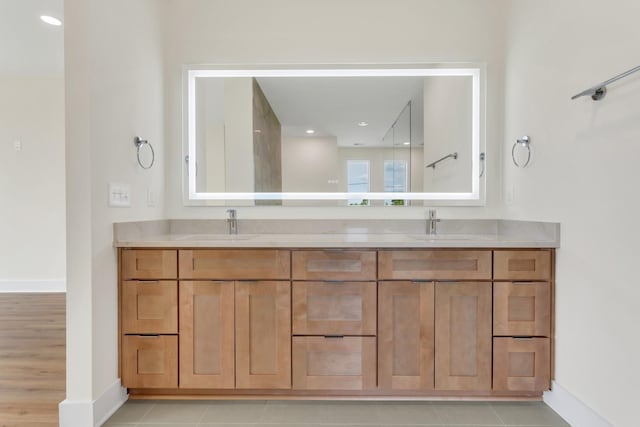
337	234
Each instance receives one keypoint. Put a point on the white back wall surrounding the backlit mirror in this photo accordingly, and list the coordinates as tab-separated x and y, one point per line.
292	31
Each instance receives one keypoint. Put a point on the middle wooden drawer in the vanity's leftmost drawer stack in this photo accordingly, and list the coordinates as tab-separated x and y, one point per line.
150	307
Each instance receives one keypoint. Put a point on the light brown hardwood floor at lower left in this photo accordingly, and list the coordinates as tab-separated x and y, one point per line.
32	359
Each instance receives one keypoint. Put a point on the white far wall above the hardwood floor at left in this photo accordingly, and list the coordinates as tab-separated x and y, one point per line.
32	203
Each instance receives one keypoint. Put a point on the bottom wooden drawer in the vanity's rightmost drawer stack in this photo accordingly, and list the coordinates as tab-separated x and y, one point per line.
521	364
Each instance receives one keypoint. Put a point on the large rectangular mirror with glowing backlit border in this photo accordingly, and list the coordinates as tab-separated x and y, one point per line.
340	136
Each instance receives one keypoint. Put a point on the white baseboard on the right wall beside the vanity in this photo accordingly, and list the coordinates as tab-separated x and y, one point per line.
572	409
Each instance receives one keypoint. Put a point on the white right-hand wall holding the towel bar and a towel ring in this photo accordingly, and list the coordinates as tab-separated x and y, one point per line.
584	174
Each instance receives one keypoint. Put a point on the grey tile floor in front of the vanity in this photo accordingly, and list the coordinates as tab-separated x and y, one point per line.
317	414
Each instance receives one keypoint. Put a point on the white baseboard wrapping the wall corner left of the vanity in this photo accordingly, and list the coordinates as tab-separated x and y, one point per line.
94	413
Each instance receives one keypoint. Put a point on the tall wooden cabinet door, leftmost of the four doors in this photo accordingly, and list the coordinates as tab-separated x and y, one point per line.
207	344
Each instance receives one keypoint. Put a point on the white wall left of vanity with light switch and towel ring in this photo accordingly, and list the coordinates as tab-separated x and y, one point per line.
115	91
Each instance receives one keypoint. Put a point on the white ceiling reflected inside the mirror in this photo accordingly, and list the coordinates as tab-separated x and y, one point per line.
333	106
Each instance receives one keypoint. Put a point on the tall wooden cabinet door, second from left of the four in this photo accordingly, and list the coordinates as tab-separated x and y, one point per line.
263	334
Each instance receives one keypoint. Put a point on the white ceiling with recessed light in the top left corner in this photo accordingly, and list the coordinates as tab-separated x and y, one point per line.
28	46
